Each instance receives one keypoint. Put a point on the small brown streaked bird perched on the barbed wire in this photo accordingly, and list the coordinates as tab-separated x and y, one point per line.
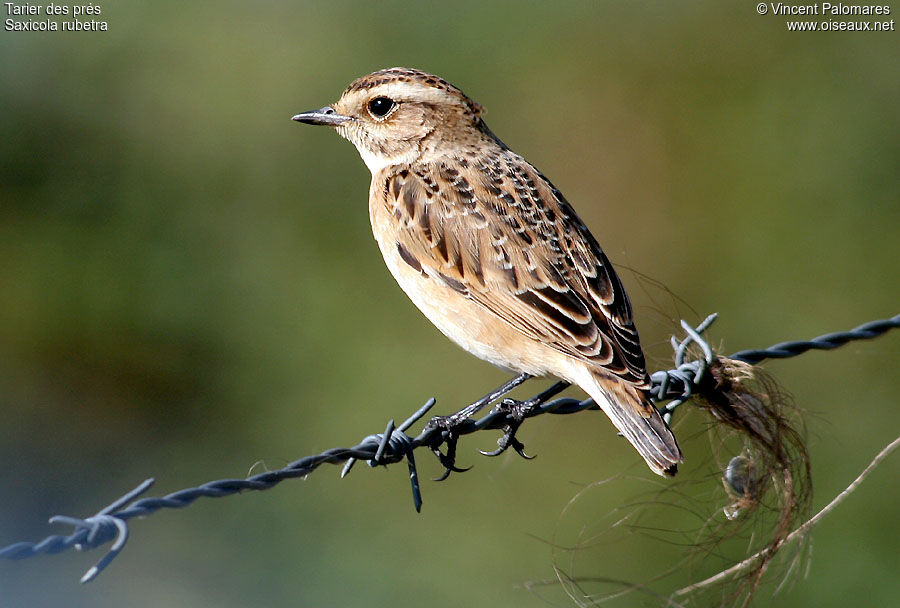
491	251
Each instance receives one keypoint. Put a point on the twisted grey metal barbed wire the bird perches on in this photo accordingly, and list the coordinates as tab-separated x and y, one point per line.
676	385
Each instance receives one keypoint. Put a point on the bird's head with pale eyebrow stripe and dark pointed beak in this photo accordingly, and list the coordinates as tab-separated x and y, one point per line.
396	115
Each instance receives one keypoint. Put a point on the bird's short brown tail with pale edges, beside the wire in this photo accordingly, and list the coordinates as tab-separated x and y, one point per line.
631	411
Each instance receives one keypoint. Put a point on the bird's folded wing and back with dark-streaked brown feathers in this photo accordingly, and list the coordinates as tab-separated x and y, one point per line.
496	231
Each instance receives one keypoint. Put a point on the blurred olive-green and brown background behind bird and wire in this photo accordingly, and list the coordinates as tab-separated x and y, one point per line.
188	286
